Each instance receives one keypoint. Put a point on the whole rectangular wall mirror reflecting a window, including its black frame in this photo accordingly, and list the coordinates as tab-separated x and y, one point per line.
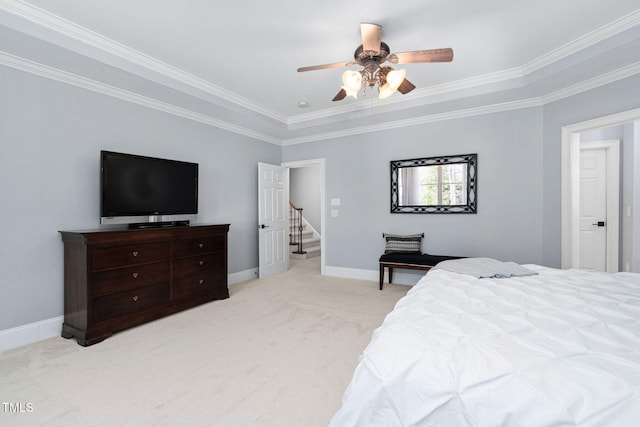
434	184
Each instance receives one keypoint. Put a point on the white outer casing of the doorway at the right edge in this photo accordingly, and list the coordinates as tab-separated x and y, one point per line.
571	179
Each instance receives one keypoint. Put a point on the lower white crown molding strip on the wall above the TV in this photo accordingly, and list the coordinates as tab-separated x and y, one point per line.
115	92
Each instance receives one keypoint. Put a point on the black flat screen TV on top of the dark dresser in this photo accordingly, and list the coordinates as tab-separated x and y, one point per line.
139	189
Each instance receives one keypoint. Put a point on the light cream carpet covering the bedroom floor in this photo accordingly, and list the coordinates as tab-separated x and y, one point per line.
279	352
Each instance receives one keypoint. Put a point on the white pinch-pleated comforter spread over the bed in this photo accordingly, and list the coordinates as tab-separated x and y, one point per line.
561	348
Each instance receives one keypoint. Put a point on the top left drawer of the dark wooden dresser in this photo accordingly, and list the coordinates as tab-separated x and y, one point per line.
121	256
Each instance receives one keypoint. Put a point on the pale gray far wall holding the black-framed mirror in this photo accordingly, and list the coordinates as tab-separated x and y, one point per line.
508	224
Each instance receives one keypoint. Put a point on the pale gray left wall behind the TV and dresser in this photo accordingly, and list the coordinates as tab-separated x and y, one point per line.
50	138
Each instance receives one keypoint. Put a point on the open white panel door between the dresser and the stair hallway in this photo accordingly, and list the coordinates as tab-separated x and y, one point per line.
273	203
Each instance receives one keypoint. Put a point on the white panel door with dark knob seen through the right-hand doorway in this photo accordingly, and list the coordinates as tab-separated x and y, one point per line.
593	209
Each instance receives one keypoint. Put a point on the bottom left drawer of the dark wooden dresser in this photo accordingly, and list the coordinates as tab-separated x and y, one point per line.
121	303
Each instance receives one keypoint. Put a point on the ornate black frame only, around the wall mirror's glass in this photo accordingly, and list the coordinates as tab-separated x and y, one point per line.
471	160
